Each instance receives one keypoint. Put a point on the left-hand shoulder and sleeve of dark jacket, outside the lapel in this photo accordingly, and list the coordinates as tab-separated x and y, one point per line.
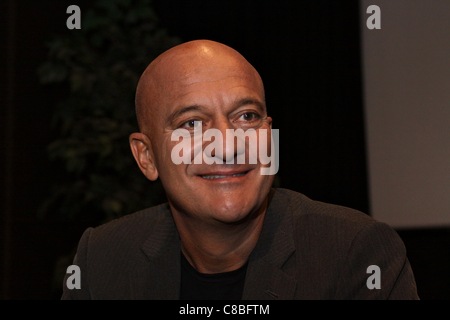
108	253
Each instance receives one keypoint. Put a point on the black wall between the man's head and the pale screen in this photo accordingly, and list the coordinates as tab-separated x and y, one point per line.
307	53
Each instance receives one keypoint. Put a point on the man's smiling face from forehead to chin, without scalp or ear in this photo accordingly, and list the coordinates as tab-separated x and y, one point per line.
219	98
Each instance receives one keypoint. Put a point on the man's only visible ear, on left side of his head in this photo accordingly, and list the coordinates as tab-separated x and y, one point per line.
141	148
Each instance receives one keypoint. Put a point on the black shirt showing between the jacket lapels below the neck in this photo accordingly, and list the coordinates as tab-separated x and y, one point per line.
217	286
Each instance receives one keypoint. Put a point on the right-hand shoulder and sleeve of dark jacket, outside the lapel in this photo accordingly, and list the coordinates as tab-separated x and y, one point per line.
334	247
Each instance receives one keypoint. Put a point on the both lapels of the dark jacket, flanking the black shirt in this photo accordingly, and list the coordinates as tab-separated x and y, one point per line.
264	279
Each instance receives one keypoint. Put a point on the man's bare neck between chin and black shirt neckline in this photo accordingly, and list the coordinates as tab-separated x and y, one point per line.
215	247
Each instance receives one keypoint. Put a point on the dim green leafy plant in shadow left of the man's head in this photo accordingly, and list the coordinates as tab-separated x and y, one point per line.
101	64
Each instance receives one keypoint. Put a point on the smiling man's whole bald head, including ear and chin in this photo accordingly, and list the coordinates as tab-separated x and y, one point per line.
209	82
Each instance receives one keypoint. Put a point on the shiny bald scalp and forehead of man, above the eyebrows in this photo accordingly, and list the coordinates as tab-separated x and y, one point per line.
181	65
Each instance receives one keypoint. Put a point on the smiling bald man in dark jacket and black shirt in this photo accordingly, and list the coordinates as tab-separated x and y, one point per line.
225	234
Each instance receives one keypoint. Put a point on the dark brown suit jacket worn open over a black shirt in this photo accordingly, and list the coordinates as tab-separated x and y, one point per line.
306	250
